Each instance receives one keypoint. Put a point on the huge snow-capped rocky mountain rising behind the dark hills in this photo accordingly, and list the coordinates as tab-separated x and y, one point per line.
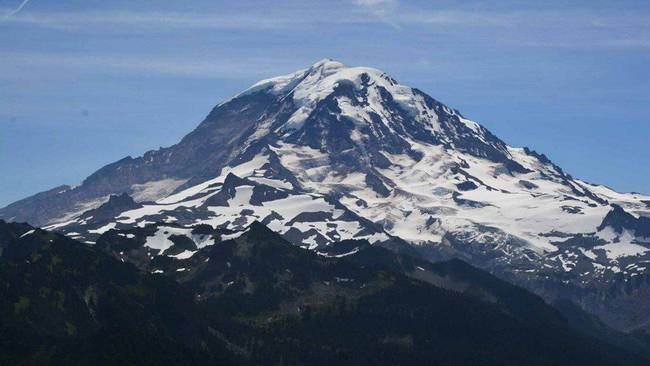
332	152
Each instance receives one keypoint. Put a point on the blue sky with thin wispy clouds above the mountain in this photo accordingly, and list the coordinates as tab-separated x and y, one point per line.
84	83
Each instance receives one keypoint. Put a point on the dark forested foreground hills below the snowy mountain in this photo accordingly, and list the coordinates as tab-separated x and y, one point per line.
259	299
